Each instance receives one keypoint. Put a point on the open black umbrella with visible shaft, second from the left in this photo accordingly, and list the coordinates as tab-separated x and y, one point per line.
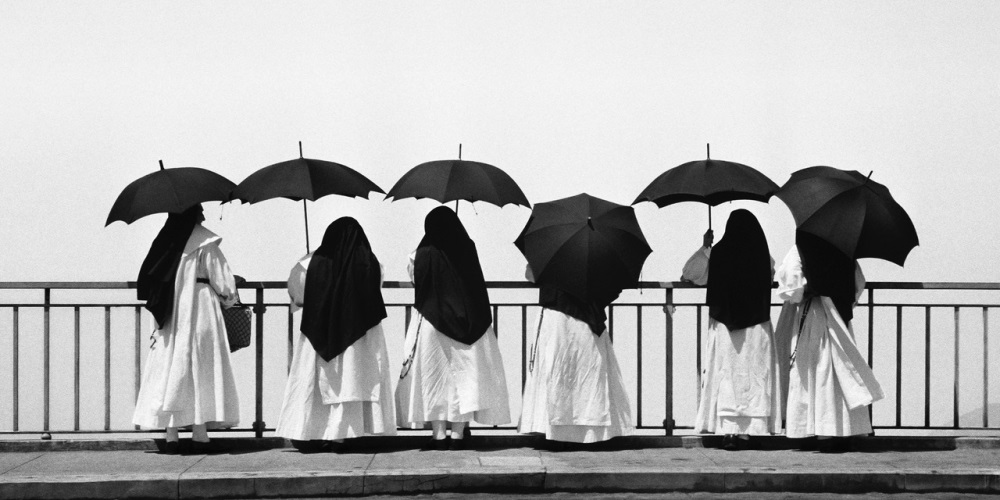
303	179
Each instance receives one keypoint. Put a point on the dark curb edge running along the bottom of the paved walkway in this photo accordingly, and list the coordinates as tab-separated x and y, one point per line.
320	484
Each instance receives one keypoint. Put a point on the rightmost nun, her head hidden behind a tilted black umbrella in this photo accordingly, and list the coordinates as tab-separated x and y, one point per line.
830	384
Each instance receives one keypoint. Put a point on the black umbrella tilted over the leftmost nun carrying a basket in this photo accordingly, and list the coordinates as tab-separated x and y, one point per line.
172	190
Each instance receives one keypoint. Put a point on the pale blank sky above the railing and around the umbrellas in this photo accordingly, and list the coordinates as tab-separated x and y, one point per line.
567	97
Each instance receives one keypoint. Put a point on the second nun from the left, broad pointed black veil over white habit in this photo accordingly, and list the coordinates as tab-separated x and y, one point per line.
339	384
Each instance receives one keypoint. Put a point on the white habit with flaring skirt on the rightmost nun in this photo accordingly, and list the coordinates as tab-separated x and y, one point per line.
830	384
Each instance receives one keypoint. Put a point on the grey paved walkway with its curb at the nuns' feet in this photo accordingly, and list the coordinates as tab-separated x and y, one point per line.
250	469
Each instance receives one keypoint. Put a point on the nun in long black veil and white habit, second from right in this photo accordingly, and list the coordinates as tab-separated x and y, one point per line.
740	393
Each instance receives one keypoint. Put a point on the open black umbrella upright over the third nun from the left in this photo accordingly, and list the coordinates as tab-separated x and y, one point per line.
453	180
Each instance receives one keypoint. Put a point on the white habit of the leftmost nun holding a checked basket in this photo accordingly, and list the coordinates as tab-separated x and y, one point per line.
188	379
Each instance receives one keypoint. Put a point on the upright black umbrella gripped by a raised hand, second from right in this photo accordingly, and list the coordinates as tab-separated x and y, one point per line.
708	181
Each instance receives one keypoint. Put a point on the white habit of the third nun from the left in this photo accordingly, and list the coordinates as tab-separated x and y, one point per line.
449	380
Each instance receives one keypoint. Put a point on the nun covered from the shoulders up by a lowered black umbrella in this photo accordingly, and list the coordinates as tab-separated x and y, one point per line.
574	391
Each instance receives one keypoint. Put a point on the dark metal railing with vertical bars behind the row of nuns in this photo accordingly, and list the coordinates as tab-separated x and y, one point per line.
629	323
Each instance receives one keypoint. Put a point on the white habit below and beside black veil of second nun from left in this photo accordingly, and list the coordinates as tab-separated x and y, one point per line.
346	397
